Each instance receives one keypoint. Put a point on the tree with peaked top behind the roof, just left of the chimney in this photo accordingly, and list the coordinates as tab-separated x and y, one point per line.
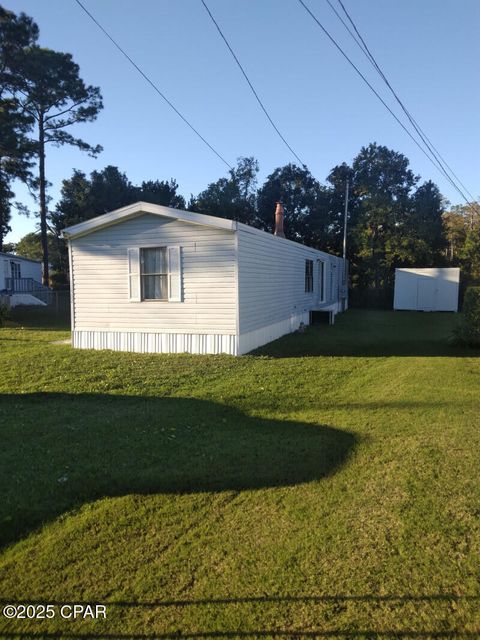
233	197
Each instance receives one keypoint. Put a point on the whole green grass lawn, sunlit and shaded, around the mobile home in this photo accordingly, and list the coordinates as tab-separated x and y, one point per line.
326	486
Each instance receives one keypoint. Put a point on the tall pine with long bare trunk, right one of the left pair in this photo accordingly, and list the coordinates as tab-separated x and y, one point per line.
49	89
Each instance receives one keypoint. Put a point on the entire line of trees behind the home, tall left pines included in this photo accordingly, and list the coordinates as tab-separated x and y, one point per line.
393	219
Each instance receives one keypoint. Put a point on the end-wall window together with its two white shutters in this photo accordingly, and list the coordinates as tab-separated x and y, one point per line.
154	273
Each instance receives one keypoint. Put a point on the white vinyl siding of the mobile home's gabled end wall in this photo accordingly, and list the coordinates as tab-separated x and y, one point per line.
202	277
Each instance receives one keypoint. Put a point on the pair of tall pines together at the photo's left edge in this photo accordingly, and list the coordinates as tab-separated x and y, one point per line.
41	97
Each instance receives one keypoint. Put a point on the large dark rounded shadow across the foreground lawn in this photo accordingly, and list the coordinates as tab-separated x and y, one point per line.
62	450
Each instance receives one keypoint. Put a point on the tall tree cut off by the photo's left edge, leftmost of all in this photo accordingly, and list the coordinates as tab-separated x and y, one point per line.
16	150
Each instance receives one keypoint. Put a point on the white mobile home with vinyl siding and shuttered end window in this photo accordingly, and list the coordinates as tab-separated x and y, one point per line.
149	278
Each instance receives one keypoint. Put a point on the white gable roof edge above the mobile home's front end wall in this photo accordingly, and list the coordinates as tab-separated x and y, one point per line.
139	208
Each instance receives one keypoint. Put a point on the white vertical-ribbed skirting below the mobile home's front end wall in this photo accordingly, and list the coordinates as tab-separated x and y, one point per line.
140	342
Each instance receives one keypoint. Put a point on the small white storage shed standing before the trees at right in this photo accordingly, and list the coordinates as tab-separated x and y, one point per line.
426	289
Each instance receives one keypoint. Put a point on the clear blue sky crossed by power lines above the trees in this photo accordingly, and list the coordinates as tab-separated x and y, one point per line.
429	49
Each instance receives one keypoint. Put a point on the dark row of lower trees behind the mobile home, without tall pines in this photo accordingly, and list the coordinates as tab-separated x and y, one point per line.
393	221
